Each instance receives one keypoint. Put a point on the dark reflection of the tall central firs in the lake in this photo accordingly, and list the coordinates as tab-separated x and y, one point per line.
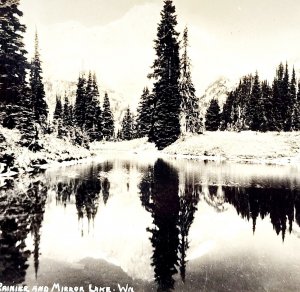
172	217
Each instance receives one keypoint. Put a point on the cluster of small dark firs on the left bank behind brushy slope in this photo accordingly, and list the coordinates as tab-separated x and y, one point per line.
85	120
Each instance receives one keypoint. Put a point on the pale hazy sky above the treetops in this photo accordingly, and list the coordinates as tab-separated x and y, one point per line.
228	38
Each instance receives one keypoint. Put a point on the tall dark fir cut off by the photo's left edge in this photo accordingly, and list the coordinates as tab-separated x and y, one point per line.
16	109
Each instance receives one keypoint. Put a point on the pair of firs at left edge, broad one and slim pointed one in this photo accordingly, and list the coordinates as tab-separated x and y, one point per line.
22	97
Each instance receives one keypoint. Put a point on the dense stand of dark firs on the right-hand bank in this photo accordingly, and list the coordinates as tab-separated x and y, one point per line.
257	106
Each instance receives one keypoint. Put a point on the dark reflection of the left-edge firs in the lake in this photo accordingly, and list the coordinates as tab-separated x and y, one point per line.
21	213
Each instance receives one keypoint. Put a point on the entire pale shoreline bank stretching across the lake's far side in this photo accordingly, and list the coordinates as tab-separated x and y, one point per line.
244	147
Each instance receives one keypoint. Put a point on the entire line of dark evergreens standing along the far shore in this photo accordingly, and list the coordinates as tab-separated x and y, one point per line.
166	111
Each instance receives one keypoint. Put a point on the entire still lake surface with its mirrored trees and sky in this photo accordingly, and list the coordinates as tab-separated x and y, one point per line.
154	225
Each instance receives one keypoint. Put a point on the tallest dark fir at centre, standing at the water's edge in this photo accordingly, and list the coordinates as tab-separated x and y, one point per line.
165	127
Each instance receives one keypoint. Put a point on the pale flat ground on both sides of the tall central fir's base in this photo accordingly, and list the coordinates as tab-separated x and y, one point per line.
247	146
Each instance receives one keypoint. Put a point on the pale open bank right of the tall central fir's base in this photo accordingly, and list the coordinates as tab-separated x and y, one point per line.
247	146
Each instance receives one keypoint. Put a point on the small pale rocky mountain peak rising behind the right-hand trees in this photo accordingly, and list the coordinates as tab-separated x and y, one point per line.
217	90
